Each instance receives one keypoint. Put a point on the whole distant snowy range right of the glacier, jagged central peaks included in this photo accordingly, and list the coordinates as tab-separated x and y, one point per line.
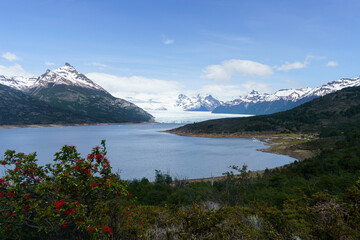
257	104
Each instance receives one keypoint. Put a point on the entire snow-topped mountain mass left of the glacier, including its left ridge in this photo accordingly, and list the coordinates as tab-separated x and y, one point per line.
63	96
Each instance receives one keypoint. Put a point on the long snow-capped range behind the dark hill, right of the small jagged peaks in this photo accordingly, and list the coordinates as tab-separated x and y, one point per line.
284	99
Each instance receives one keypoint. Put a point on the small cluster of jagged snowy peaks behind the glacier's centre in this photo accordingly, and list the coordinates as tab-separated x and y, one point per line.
197	103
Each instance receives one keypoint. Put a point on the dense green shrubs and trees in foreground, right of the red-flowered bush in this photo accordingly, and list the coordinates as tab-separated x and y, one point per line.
318	198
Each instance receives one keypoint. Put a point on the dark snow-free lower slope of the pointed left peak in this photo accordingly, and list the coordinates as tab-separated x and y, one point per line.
95	104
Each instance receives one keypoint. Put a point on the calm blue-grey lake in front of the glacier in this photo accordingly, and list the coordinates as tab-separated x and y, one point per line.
137	150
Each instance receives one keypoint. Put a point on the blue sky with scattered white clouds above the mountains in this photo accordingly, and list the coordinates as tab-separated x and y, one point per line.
224	47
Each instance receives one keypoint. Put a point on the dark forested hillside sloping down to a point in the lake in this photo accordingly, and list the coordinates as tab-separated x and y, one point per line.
327	112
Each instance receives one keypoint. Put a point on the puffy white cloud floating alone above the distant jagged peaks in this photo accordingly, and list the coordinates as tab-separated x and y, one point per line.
227	69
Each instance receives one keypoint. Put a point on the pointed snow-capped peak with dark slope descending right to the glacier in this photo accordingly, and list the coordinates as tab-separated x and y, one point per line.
67	89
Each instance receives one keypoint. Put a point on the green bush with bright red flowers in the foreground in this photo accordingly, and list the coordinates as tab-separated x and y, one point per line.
69	199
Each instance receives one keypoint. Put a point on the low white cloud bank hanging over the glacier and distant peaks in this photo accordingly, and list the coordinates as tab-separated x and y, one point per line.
150	93
